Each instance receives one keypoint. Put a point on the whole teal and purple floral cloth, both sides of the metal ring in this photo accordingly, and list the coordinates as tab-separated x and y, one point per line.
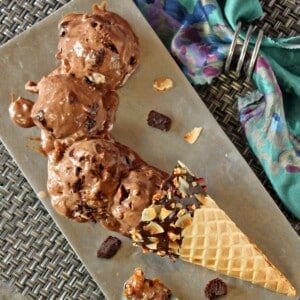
199	34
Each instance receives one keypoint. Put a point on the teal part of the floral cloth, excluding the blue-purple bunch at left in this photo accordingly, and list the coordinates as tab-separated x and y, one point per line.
274	133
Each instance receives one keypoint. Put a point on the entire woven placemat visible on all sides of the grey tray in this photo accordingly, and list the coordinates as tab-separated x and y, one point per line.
35	258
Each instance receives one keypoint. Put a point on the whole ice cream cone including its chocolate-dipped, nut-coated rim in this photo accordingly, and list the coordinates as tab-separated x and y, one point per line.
184	222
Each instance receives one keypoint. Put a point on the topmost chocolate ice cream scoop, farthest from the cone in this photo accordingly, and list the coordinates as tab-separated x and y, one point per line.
101	47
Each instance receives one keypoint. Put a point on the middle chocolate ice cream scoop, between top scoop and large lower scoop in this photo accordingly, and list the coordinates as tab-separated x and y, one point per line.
70	107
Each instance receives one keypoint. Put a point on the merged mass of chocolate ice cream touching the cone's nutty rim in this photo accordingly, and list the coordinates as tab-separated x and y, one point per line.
100	179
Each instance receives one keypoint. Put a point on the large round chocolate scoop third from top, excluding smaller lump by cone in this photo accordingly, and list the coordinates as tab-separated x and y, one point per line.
84	181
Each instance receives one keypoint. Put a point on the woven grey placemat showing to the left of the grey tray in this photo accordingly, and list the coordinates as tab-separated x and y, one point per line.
35	258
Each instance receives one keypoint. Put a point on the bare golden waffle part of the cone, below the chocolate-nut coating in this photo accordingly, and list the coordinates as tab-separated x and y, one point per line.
213	241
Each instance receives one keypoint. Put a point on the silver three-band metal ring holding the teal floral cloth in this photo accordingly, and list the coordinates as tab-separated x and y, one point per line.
245	43
